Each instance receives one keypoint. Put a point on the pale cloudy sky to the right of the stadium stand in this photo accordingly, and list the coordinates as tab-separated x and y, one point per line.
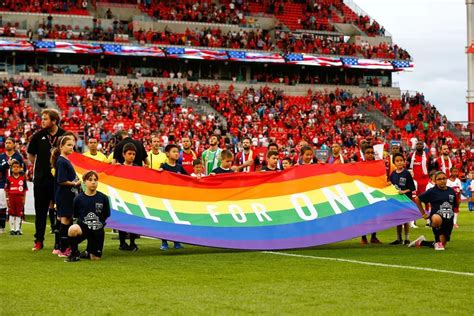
434	33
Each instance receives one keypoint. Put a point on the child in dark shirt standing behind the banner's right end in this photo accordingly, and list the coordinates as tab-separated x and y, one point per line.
403	182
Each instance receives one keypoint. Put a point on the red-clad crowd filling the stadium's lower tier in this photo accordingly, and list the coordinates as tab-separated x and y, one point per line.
101	108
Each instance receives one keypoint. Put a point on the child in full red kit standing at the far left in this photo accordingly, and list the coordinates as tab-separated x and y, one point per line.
15	190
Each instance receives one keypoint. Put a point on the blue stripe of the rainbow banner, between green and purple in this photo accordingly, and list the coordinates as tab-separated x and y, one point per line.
408	211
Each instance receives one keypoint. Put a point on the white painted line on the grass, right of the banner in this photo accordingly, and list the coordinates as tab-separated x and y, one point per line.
396	266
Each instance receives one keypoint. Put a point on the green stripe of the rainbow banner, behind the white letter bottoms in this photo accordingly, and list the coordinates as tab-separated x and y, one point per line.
251	219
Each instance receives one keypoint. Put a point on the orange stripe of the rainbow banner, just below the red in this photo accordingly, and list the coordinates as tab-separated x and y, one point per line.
263	190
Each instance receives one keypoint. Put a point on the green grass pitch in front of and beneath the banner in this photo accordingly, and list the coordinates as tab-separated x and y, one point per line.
202	280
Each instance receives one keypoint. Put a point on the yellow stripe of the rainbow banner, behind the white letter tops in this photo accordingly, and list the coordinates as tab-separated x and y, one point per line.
338	193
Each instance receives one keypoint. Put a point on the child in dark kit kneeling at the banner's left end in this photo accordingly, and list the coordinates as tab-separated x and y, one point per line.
91	208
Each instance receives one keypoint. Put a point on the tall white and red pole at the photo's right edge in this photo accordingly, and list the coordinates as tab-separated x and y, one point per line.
470	65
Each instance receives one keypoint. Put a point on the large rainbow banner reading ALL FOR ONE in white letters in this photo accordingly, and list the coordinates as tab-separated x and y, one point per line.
301	207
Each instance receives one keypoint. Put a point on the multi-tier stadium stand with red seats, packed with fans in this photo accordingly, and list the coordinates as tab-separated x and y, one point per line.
101	106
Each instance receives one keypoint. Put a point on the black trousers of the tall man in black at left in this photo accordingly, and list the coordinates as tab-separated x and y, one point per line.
43	193
